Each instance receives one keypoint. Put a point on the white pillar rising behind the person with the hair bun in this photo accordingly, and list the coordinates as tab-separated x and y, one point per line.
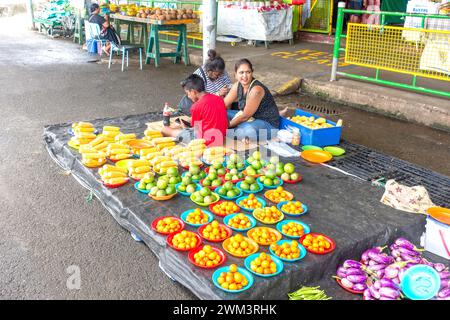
209	26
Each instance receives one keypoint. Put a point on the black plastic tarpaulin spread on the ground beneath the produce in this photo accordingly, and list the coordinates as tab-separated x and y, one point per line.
343	207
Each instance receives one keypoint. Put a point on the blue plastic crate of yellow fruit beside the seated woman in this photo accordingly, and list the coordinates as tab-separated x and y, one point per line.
317	137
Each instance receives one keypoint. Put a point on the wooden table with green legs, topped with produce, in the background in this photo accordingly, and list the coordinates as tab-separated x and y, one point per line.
152	45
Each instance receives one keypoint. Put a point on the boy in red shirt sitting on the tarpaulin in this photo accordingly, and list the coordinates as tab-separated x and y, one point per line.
209	115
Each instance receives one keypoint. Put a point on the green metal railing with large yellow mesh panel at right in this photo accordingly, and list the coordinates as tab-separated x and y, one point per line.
419	52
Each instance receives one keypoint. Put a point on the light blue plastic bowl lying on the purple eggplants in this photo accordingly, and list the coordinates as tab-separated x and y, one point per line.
420	282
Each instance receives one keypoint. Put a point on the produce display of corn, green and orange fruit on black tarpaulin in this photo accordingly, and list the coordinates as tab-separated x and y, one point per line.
344	209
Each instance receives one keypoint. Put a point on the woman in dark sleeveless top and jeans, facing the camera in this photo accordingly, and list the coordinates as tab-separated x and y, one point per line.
255	103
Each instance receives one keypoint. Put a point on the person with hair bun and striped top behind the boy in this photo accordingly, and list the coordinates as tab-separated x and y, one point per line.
215	77
